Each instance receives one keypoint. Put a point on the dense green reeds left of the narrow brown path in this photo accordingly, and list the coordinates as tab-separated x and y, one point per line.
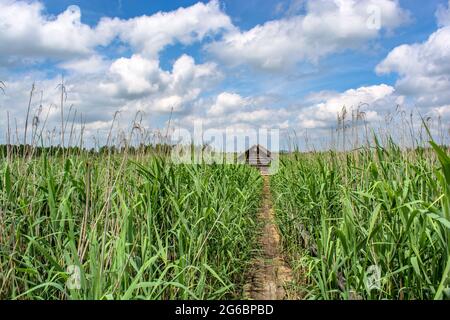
138	227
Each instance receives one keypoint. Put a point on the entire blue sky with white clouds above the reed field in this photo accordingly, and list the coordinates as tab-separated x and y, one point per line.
288	64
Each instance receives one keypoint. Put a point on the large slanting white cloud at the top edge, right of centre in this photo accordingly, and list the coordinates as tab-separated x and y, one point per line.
327	27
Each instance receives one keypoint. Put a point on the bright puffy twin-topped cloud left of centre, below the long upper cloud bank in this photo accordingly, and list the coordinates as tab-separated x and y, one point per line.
140	78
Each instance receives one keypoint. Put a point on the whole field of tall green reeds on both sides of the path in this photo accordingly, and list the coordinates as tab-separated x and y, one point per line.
122	222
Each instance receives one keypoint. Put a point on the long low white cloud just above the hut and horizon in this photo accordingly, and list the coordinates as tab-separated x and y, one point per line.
319	111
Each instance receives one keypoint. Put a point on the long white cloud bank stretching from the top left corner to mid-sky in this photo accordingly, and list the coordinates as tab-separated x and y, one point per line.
27	32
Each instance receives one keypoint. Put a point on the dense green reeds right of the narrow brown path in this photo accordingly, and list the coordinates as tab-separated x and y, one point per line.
341	213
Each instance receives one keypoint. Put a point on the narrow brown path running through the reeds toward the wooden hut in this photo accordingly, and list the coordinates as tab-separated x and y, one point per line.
270	274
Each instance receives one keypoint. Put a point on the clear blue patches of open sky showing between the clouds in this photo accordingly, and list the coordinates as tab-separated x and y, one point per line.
351	69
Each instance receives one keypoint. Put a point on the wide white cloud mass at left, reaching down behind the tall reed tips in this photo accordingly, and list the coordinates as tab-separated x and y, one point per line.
127	86
